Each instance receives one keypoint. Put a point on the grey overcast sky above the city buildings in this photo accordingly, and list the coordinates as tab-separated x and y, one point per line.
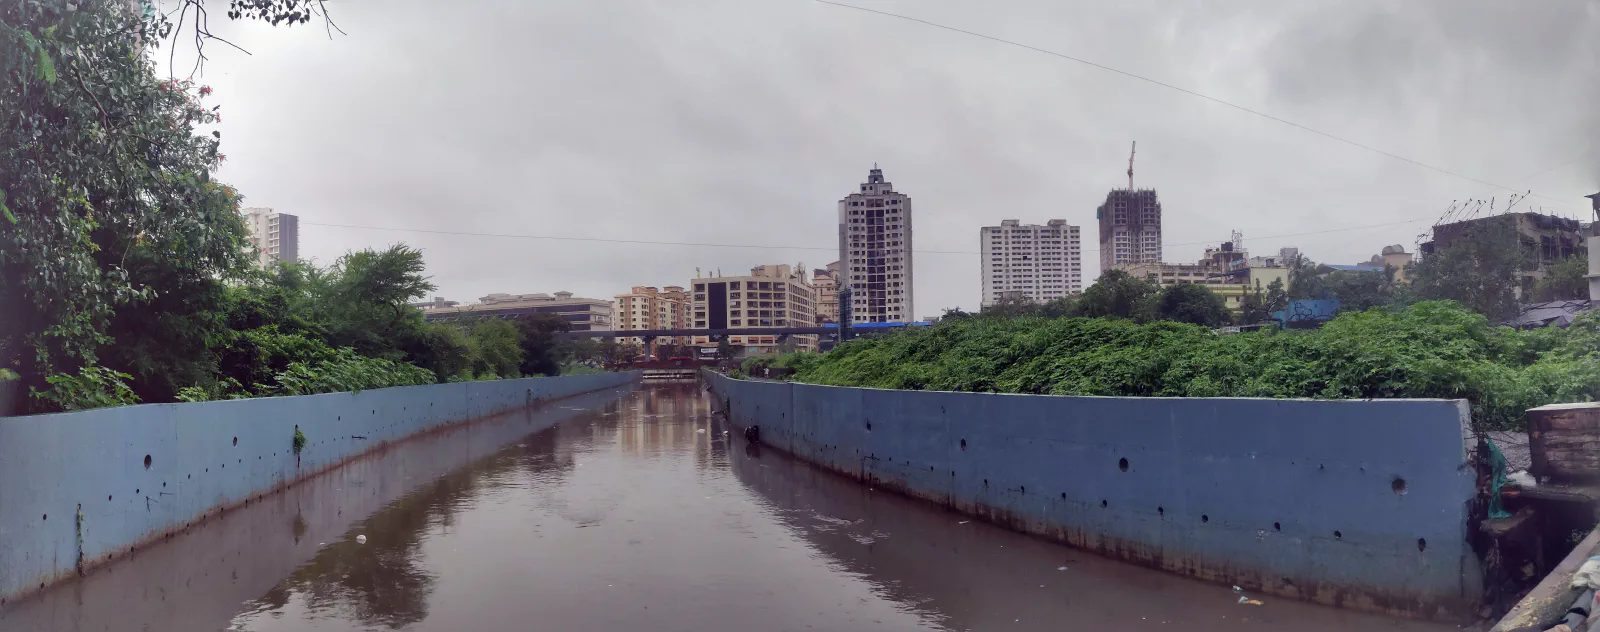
746	121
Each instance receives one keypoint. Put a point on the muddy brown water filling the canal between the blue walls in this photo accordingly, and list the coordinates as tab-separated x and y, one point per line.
638	513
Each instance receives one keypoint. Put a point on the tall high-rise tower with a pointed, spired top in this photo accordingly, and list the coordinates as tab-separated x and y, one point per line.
874	252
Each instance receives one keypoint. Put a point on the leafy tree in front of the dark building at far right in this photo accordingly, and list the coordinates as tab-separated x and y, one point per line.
1479	268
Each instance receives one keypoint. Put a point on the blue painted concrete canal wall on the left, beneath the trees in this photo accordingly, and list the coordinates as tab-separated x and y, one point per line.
140	473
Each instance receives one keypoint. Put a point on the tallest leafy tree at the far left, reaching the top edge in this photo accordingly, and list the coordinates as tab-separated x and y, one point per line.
106	196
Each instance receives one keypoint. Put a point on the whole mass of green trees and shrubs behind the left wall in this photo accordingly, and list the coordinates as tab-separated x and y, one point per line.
126	270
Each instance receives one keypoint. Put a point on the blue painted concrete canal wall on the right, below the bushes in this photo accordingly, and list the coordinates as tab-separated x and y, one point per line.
1361	505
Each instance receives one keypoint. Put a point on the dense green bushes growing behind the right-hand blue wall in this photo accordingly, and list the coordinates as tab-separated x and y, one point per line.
1428	350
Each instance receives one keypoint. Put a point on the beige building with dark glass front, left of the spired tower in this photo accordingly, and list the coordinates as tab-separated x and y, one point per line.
770	297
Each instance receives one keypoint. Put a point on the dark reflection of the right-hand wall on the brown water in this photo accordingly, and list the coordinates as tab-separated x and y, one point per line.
972	577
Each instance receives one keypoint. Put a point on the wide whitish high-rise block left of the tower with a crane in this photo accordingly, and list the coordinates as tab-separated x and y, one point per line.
1036	263
